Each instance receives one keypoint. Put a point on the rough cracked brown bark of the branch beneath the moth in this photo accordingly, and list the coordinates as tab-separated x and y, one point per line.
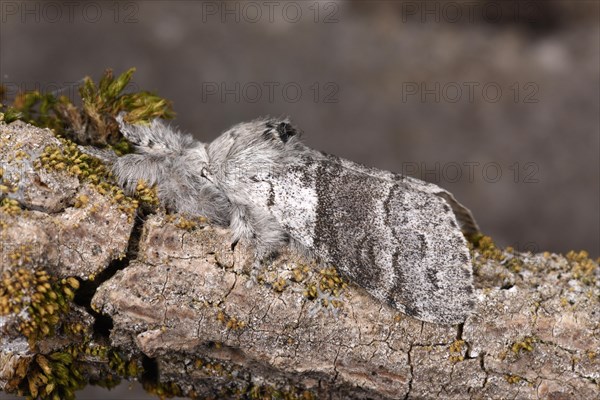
168	301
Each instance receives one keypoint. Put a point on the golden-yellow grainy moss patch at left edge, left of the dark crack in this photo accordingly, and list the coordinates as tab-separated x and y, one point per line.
44	298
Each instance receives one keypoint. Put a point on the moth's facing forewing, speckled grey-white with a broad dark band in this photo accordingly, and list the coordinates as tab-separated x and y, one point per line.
402	245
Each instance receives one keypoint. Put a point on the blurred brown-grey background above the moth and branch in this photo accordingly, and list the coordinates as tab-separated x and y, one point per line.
497	101
